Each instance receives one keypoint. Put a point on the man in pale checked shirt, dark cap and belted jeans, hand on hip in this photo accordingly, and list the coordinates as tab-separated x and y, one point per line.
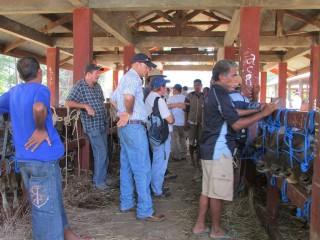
135	169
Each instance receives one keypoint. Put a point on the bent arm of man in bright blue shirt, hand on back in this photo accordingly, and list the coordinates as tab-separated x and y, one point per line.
40	134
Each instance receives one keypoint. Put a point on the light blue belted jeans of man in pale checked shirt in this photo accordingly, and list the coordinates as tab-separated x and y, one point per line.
135	169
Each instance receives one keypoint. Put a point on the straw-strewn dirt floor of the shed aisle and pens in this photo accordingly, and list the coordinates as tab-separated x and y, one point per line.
96	214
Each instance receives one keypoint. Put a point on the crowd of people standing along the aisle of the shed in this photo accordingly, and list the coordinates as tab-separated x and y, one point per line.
205	122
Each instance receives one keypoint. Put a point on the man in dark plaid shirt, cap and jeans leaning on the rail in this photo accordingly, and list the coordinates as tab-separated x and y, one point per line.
87	96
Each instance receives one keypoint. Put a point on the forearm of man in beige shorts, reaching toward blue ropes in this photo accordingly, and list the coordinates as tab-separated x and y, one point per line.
247	121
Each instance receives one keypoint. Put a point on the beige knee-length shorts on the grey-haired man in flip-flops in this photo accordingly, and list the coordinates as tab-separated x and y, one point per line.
217	179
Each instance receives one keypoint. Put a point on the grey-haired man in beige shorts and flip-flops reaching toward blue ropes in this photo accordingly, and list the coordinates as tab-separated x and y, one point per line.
221	123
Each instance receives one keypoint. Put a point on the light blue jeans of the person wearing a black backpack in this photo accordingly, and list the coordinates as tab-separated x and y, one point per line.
159	165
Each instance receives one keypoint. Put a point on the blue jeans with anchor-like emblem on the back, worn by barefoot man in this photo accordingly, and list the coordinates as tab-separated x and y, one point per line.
44	188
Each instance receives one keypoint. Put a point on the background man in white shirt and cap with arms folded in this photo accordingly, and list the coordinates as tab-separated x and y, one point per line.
178	135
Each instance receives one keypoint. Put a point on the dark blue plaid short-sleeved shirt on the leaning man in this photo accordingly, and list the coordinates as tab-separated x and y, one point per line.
83	93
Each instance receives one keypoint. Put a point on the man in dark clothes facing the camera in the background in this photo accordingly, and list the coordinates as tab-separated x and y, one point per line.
193	116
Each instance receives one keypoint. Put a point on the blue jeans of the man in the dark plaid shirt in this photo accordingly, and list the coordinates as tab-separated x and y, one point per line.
99	145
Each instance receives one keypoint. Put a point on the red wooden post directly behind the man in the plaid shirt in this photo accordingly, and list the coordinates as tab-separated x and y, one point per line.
82	56
